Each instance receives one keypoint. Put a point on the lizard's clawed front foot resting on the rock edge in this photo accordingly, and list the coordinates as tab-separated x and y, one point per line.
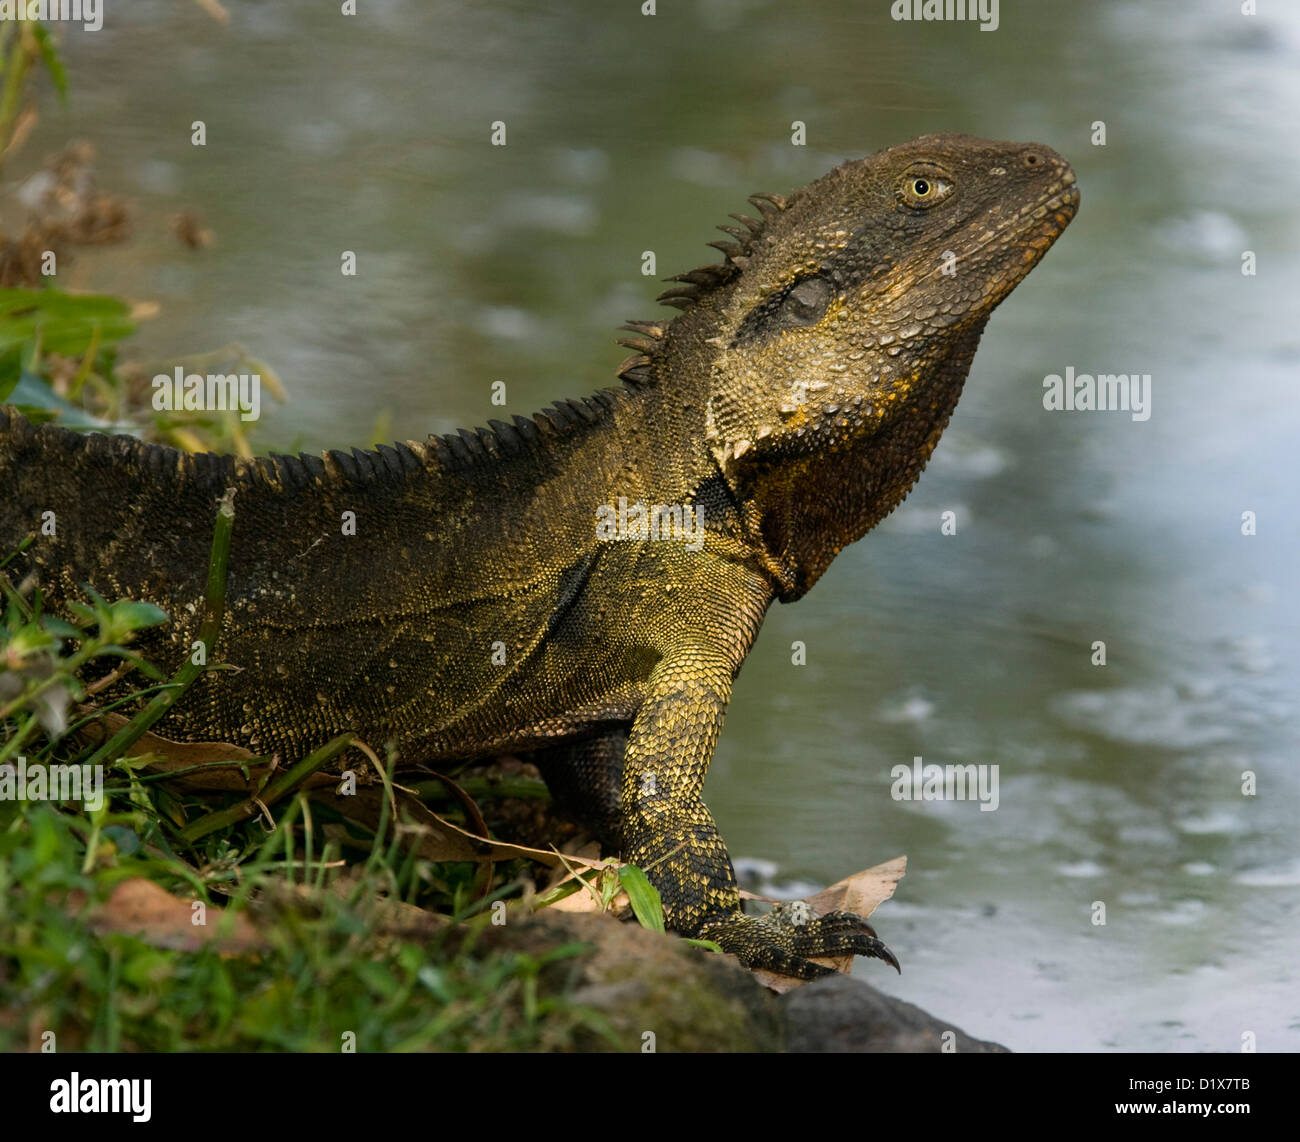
790	936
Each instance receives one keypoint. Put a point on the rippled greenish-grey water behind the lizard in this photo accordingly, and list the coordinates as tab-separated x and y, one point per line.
1120	785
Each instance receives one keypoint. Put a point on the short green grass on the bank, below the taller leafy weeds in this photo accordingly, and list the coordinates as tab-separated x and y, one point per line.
326	976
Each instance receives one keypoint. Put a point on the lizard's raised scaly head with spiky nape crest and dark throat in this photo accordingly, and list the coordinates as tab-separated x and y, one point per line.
835	338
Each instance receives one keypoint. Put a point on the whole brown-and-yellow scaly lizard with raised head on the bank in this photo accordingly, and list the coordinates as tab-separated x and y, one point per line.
526	589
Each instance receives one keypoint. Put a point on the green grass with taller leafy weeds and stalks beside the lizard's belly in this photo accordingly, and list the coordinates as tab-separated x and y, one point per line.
326	968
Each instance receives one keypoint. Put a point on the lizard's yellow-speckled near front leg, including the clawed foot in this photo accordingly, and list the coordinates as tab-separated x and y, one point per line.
670	833
